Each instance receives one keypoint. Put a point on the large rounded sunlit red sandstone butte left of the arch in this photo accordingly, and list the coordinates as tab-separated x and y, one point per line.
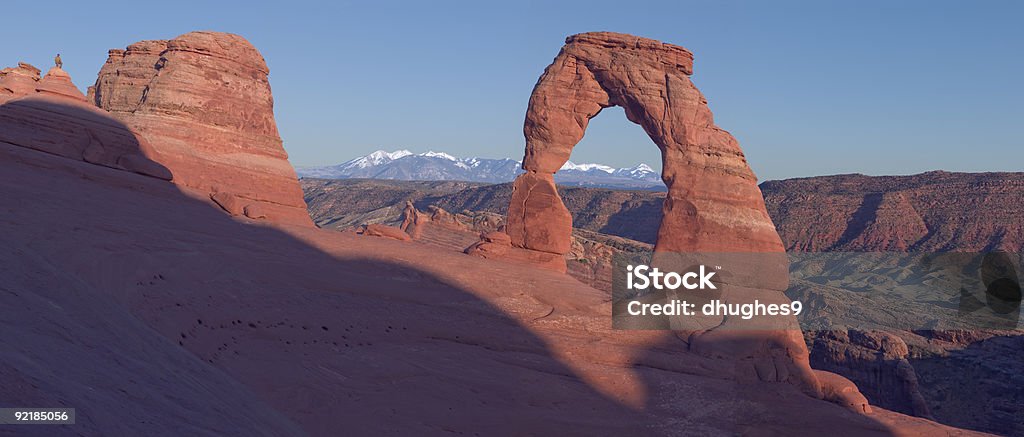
203	102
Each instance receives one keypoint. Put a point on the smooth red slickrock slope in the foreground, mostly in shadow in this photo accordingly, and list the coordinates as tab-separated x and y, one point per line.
204	325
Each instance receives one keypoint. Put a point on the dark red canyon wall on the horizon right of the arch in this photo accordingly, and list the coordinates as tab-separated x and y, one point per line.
929	212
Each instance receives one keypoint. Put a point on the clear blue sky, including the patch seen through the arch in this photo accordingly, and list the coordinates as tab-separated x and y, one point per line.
809	89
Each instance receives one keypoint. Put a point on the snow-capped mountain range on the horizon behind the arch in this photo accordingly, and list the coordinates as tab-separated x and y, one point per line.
405	165
